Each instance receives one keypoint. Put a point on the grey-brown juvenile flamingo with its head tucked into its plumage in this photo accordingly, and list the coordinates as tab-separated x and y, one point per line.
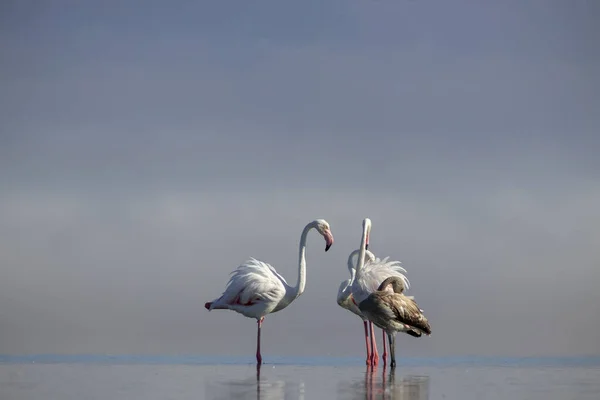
394	312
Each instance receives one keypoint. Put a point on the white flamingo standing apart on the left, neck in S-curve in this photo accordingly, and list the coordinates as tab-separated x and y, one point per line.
256	289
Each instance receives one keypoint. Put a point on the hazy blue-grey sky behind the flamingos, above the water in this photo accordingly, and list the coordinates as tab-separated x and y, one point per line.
147	148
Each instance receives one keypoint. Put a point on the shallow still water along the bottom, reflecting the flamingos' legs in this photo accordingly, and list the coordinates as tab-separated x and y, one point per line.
148	378
